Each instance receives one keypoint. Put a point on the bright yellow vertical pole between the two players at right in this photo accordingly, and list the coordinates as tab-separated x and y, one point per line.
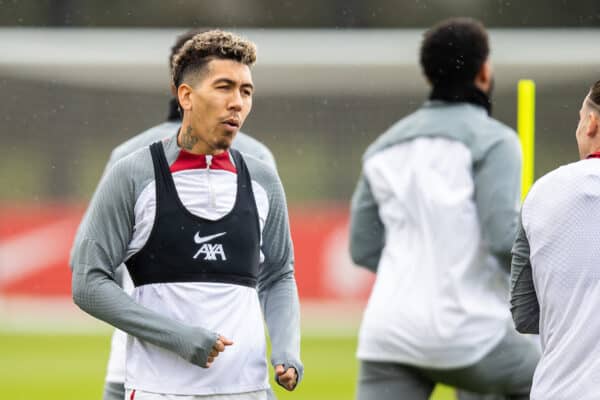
526	130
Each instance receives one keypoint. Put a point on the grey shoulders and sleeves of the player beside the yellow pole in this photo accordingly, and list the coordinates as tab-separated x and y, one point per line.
496	171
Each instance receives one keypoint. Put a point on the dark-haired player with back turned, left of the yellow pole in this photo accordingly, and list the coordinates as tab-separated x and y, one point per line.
434	214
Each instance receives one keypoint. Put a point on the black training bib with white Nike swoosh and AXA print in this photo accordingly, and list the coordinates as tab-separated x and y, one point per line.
183	247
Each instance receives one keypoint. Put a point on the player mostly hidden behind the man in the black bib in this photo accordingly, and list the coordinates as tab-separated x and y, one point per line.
116	369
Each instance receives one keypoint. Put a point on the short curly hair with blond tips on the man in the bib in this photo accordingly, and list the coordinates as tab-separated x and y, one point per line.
198	51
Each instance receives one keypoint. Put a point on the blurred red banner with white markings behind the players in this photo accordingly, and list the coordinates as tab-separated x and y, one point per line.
35	242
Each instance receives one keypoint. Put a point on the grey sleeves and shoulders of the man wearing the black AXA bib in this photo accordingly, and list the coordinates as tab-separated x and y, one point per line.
100	247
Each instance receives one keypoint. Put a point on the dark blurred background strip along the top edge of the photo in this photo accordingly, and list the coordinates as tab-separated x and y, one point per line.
296	14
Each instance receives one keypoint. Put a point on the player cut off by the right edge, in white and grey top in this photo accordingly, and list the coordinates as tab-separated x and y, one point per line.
556	264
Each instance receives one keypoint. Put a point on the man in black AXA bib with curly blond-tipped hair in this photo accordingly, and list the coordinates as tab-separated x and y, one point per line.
204	233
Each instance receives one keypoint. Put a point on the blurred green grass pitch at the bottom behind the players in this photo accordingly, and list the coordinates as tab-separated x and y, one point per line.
65	367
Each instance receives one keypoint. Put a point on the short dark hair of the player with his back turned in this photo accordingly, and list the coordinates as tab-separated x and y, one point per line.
453	51
